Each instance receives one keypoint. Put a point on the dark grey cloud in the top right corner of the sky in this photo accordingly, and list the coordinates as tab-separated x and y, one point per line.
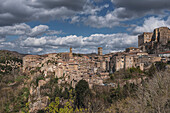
137	8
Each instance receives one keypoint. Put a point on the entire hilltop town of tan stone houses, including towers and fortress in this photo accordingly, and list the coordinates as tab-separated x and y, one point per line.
94	68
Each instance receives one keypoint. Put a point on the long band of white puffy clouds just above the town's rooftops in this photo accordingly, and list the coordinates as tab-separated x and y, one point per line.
32	40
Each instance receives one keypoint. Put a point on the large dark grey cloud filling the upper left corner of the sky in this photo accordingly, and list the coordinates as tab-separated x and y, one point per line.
19	11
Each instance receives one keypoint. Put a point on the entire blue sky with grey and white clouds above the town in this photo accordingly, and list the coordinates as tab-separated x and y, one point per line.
48	26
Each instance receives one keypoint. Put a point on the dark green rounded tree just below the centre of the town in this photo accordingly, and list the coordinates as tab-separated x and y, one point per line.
82	91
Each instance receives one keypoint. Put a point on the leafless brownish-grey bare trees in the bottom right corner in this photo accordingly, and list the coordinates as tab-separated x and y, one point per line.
151	97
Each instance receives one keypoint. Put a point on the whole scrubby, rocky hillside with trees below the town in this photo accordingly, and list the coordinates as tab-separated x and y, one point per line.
35	92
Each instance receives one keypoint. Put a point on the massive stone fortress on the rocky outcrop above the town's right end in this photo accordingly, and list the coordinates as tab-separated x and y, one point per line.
155	42
